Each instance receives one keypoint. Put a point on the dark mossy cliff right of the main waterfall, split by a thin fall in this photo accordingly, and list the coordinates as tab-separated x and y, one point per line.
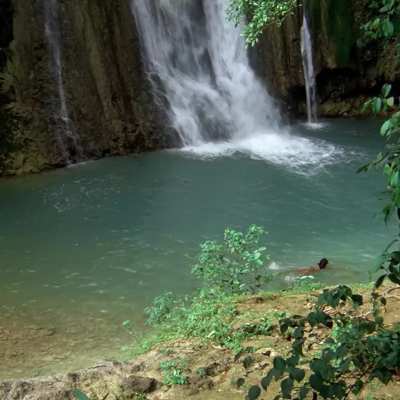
346	75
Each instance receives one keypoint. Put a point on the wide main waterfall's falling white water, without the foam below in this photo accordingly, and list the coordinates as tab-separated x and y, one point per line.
201	61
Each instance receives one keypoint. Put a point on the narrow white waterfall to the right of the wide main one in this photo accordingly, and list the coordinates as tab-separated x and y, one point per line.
309	72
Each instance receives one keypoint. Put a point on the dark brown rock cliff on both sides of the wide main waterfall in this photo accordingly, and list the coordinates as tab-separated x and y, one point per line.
108	105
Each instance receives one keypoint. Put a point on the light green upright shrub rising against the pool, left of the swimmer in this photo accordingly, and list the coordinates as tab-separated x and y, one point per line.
237	265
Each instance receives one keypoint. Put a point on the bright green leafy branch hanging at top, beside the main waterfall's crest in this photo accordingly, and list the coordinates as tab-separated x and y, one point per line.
259	14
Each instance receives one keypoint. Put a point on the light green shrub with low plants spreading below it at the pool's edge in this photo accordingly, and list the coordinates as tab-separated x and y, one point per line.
228	269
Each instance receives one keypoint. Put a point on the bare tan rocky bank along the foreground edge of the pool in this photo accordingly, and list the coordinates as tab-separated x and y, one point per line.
207	371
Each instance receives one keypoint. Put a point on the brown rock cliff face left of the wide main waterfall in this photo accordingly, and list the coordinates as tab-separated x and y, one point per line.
110	106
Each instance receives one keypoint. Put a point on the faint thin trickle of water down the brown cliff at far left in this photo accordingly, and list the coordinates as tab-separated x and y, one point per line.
67	137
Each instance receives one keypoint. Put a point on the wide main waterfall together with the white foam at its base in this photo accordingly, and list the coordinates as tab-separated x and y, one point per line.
198	63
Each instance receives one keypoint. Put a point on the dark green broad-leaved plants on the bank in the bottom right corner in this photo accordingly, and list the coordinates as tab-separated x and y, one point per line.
358	351
